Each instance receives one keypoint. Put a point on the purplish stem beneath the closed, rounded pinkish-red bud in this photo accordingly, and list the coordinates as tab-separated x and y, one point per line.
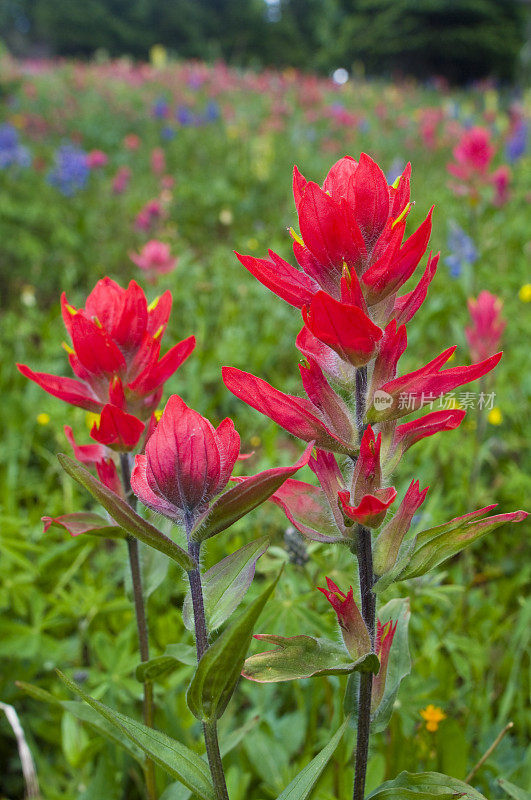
201	642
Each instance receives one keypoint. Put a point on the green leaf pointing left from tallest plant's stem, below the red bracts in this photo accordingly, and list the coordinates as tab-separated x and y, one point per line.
303	657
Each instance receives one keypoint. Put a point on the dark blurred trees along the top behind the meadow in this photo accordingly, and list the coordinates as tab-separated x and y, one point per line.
460	39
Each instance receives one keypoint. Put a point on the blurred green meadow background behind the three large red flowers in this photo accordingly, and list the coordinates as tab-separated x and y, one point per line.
231	157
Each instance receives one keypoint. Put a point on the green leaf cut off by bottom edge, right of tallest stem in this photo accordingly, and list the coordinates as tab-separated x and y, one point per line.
424	785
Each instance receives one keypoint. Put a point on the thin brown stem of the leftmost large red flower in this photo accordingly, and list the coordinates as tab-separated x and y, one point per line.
141	623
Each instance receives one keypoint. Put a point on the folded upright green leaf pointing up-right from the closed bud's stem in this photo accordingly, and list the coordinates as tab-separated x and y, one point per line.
218	671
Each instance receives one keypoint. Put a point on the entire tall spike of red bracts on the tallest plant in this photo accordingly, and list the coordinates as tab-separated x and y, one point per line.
353	261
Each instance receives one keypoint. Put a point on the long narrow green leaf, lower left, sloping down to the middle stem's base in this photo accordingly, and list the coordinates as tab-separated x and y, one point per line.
175	758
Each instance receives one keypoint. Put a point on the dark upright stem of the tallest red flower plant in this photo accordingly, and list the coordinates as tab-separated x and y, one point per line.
368	610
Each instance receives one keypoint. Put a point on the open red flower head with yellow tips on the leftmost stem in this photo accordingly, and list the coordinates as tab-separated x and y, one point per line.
115	351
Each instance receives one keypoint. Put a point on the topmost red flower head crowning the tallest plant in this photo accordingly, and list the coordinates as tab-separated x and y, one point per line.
352	226
